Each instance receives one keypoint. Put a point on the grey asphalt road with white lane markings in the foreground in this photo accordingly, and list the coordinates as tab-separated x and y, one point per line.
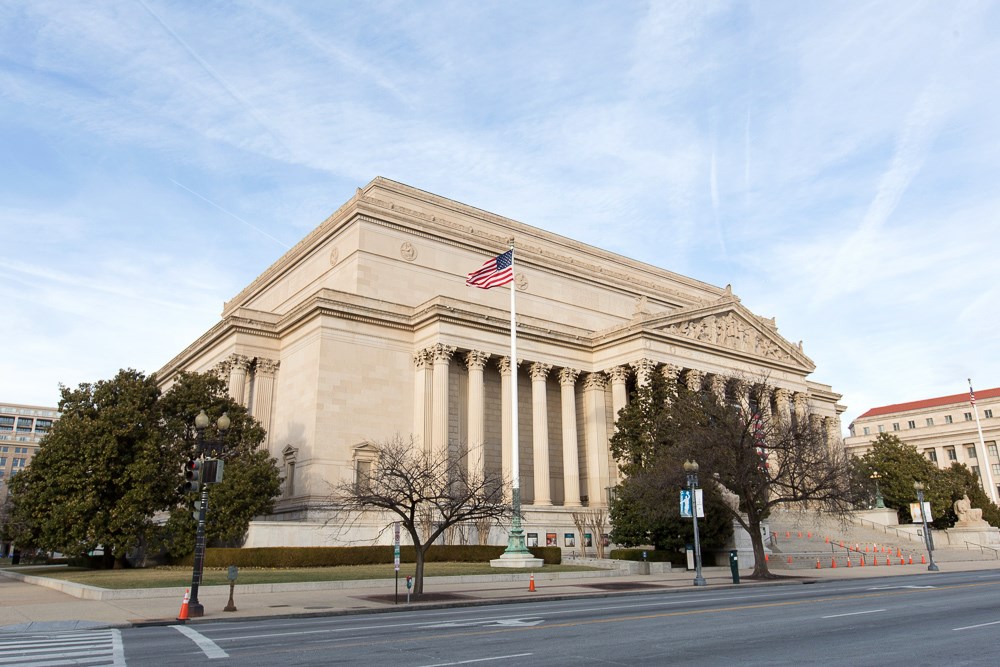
948	618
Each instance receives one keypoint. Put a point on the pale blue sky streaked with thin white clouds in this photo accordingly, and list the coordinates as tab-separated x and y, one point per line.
836	162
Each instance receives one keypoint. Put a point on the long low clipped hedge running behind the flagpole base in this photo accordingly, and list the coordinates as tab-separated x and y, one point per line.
288	557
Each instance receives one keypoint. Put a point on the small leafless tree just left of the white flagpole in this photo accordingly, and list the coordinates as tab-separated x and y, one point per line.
429	492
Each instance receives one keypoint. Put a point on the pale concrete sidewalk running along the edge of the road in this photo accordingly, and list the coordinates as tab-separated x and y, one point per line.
30	607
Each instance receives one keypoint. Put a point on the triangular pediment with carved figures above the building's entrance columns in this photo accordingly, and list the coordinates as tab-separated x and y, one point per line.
727	324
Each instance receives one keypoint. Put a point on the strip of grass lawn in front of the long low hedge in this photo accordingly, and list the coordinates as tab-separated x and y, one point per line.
163	577
